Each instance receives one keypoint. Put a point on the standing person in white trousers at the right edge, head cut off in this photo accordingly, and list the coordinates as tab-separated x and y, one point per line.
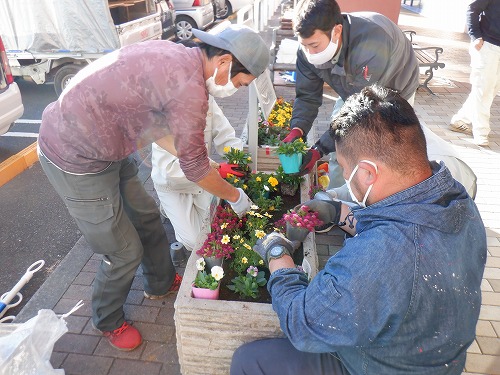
483	23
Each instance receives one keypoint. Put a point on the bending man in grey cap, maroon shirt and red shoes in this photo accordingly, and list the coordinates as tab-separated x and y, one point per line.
154	91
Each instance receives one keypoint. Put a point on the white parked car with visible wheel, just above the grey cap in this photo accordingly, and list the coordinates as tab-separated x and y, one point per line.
197	14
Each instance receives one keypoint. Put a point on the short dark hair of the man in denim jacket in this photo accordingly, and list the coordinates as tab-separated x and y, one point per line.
380	123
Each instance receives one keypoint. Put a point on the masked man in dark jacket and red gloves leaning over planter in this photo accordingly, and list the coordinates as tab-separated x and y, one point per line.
348	52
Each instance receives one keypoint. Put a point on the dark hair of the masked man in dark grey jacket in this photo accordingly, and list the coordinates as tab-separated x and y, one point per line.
314	15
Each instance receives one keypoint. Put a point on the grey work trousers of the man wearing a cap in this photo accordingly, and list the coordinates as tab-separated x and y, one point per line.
121	221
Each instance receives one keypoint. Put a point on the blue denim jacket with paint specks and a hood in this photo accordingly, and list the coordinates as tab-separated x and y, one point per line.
403	295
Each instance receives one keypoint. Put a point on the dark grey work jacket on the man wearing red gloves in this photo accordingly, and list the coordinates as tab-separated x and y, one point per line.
374	50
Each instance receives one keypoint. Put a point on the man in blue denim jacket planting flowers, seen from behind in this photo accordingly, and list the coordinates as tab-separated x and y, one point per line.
403	294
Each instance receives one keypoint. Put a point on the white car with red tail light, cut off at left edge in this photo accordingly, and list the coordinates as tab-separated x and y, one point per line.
11	104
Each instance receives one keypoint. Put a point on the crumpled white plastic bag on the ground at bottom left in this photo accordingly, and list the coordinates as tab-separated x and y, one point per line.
27	349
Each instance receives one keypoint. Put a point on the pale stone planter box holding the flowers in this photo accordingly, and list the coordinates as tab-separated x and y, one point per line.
208	332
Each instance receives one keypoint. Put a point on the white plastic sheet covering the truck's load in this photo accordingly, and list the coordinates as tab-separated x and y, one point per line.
45	26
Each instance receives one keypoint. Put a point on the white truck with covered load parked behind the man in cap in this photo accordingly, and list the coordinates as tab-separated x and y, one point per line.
53	39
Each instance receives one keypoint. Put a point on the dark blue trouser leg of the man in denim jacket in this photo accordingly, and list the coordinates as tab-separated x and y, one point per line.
278	356
